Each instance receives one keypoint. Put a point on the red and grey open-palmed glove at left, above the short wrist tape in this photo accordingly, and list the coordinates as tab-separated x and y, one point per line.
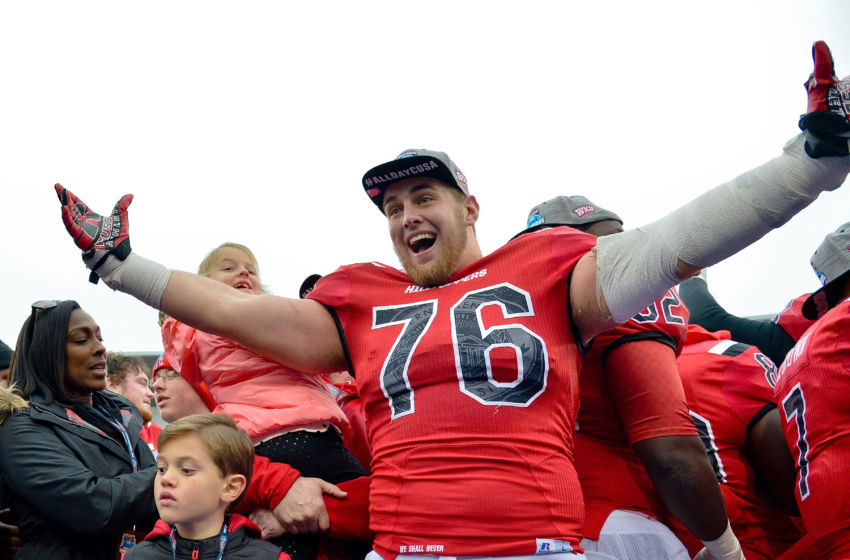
98	236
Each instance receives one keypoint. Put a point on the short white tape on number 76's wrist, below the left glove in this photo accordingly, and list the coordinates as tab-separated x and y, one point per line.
143	279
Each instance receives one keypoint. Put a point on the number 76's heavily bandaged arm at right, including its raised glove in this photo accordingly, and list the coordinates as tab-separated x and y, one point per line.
637	266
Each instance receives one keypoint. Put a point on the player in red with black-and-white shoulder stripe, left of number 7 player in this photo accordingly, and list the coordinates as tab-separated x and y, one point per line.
729	387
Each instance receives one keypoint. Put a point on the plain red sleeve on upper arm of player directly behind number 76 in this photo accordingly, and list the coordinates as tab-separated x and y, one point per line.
644	382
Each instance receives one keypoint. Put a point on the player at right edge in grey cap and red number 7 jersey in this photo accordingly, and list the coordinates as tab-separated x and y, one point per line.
812	392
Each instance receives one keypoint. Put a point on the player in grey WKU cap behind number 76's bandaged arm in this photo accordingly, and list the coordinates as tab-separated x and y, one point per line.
633	419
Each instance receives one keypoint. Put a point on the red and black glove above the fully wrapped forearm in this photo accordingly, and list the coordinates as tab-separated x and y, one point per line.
827	122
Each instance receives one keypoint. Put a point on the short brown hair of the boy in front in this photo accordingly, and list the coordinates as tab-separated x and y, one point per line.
229	447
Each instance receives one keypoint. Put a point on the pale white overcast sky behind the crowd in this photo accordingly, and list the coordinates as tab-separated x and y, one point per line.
254	121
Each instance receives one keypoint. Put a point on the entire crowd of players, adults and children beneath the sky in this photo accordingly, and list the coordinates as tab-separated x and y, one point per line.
553	398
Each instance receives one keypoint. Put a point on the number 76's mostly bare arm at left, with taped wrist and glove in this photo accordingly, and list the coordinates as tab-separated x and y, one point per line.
298	333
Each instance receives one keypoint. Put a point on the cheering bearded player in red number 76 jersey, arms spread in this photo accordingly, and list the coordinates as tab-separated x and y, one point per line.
468	363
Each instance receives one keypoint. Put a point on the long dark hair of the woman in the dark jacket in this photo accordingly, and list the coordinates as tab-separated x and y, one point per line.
39	363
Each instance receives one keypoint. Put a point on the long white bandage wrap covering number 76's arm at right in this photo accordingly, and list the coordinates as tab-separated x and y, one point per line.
637	266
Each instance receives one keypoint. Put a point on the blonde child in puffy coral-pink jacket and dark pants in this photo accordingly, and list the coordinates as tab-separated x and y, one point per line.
290	417
